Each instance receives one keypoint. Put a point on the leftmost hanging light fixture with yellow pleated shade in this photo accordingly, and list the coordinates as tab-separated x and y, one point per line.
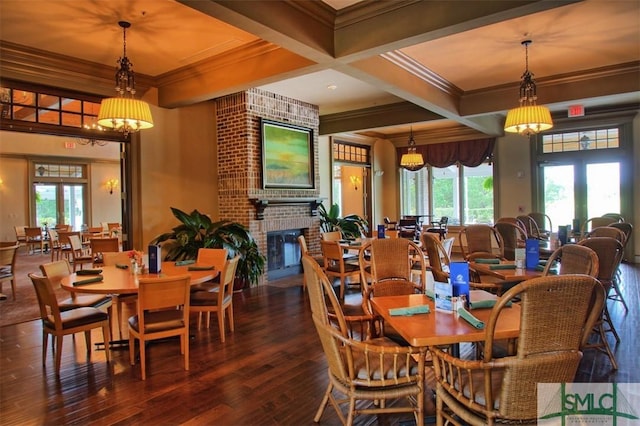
124	113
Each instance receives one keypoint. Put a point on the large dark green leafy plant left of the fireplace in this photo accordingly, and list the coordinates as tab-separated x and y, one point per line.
197	230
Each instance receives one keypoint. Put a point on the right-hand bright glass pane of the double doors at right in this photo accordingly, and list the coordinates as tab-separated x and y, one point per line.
603	189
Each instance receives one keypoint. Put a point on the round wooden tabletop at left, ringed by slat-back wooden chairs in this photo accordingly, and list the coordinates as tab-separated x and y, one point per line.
122	281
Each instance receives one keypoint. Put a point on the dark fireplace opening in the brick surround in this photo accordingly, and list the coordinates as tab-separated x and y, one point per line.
283	253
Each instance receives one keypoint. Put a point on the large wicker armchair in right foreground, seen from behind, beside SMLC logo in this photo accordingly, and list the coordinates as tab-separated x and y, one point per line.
556	319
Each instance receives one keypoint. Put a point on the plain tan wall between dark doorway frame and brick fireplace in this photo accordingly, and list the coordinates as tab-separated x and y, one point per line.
177	167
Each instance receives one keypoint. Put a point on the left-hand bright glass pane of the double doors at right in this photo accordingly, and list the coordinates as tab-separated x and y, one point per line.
559	198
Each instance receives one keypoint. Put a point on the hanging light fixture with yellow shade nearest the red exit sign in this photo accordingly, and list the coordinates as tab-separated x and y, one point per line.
528	118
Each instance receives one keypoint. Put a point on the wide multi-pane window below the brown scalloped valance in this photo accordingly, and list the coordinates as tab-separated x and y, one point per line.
455	192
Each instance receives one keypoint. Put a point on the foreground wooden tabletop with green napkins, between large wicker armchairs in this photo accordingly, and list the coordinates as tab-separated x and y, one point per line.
443	328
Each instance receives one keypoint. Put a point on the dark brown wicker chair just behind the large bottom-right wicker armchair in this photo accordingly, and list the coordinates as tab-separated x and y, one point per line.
609	252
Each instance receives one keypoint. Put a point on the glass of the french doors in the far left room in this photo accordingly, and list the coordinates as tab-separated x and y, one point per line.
60	203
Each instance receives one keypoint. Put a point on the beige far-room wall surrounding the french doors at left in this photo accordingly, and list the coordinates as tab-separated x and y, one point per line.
18	149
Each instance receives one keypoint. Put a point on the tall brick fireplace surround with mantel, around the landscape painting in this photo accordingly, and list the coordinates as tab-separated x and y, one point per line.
241	195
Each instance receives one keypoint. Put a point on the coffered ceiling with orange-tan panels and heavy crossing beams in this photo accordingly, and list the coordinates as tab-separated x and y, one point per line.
475	54
